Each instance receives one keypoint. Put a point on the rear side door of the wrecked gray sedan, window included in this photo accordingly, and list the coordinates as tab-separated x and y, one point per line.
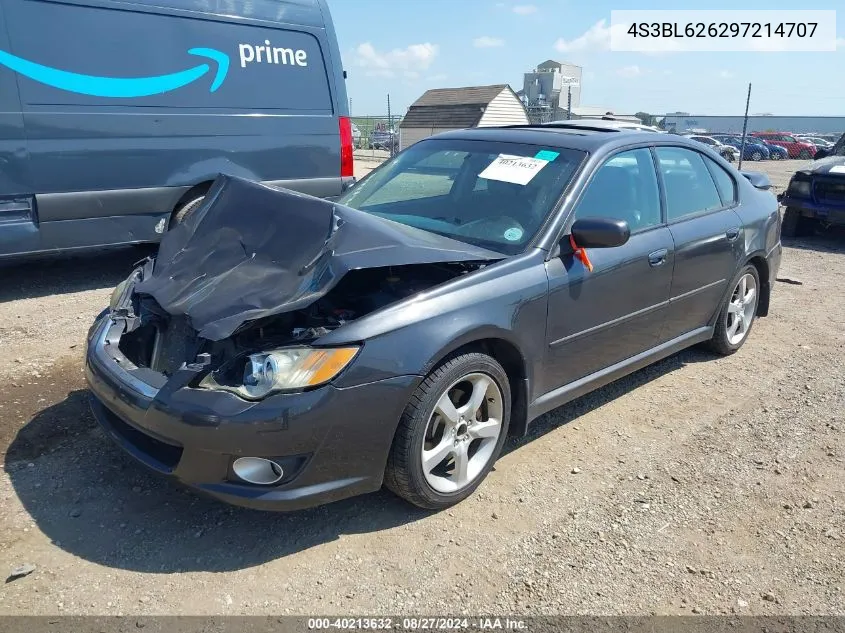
700	197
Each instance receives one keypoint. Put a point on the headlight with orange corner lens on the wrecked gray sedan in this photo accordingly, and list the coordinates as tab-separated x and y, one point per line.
284	369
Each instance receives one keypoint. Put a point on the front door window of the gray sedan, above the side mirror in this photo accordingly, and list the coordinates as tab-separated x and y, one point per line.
624	188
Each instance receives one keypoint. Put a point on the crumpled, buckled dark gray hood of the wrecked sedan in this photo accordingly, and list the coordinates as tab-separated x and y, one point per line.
252	251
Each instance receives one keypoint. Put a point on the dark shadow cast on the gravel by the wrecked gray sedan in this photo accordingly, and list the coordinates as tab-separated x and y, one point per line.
99	505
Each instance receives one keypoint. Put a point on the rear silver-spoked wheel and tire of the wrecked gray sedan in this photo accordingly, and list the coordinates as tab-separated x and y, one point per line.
736	318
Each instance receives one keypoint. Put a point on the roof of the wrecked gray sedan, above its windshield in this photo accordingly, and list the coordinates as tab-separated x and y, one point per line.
564	135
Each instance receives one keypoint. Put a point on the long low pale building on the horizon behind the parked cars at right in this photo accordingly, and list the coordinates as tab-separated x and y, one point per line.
683	122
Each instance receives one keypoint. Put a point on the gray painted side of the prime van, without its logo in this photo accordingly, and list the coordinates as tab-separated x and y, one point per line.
105	170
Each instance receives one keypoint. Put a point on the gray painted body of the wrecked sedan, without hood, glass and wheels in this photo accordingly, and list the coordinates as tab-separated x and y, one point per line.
568	331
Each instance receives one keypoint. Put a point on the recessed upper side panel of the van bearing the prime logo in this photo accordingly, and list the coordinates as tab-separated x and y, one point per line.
79	55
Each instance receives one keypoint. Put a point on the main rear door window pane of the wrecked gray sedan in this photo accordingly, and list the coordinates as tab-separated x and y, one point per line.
689	187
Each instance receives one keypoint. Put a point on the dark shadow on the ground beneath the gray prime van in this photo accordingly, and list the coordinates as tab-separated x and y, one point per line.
61	274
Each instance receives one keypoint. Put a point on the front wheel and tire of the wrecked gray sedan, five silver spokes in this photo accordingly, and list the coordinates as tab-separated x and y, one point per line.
434	485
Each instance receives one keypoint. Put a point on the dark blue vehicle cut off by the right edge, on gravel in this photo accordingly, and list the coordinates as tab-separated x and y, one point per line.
816	194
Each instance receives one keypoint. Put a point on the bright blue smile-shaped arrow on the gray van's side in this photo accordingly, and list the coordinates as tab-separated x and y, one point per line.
119	87
